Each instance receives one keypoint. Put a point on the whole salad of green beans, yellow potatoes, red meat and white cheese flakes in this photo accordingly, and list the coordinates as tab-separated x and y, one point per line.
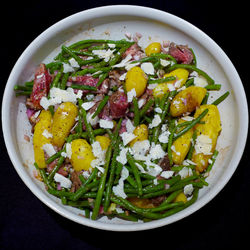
122	131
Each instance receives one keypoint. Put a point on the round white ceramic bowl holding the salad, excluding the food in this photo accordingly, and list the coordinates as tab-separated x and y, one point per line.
112	22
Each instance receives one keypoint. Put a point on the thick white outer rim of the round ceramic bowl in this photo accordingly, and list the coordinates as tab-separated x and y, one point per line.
136	11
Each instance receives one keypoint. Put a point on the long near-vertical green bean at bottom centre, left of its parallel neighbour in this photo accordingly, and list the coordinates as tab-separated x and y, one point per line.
102	184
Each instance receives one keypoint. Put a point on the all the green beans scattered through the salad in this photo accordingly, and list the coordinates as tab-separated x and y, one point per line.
95	195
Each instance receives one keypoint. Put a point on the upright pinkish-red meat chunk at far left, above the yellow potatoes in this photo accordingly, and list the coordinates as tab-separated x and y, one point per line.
41	86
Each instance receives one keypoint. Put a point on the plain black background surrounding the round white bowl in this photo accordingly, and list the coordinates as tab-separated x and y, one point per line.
26	223
